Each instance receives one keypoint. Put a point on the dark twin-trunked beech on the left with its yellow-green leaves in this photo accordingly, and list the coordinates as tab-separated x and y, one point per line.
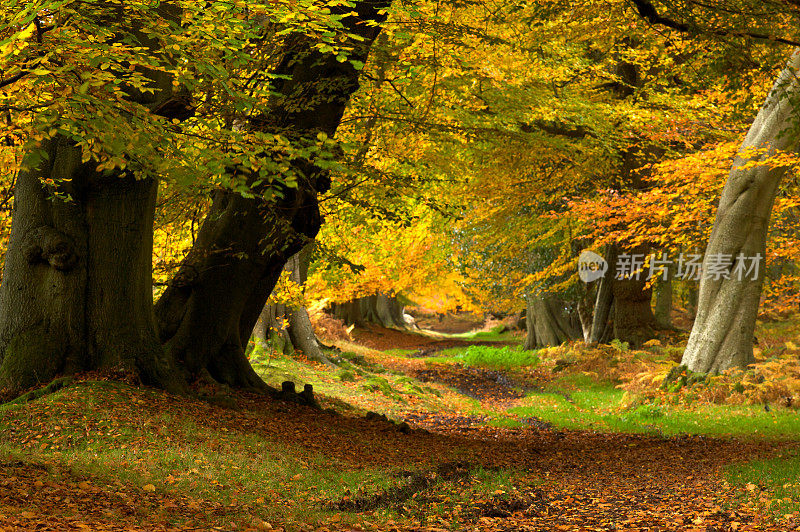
101	91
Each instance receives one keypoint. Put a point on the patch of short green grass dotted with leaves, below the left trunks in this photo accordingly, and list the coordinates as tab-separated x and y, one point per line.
176	455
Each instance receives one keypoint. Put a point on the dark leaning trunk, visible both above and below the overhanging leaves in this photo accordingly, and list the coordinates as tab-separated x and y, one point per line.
208	312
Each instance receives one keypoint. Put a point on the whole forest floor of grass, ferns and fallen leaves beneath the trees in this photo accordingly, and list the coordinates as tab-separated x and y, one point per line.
416	432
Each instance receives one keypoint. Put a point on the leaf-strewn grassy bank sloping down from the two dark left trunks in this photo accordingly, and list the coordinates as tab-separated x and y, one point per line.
236	467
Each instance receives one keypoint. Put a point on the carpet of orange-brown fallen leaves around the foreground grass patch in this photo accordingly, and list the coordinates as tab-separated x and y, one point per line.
562	480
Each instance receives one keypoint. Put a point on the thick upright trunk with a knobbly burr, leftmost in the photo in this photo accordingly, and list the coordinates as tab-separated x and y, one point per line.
77	285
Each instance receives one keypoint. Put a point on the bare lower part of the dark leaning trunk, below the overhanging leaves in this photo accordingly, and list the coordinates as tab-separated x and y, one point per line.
201	312
